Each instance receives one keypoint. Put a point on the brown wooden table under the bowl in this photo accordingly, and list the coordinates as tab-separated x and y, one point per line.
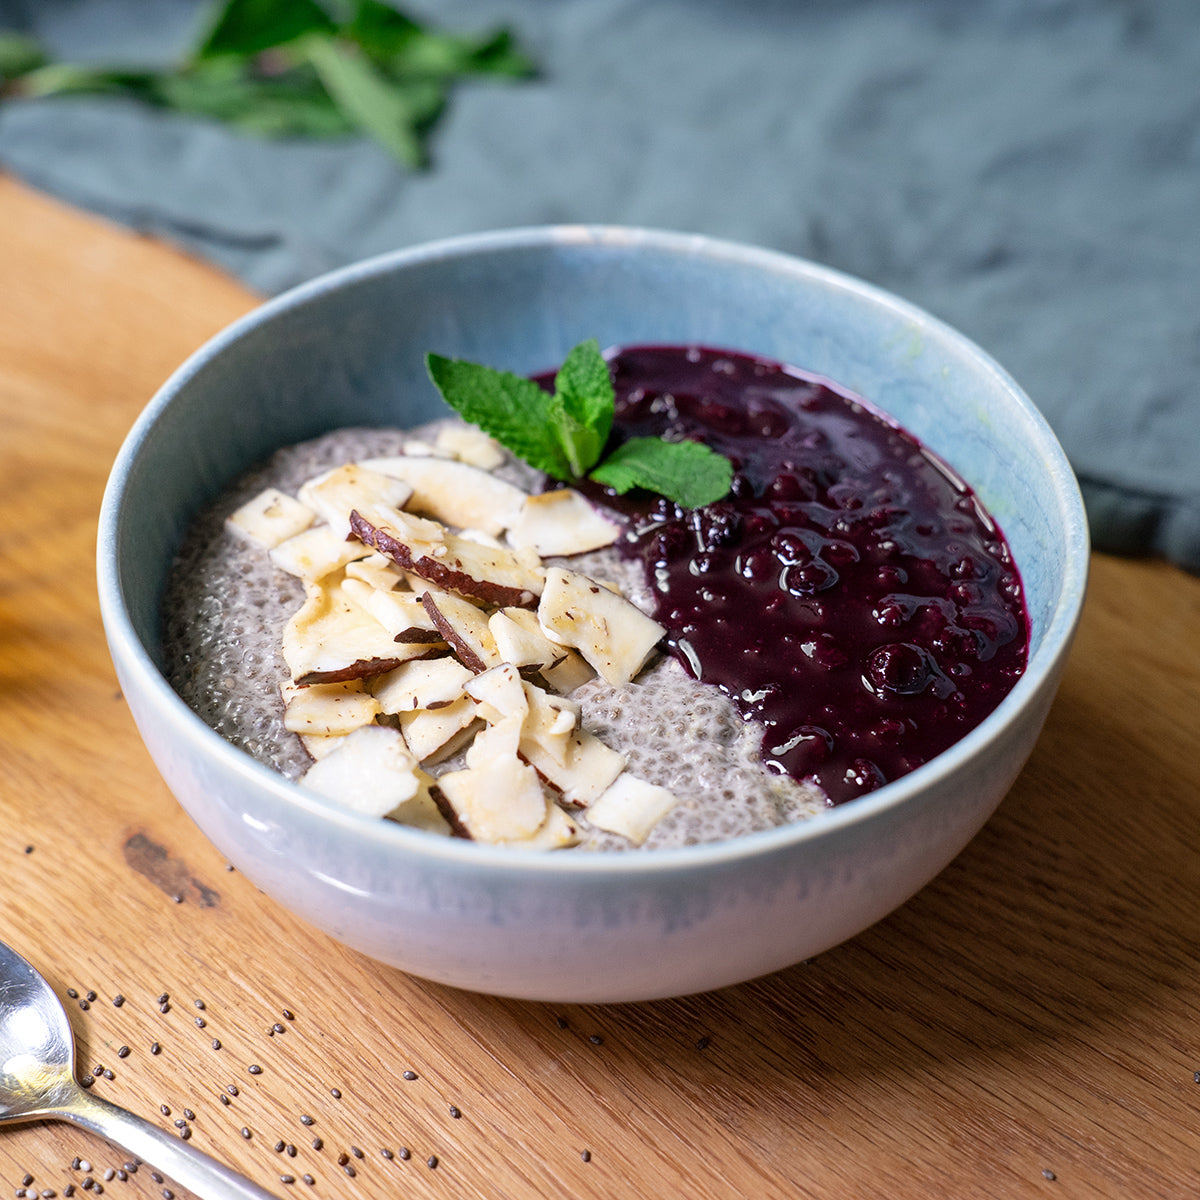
1028	1027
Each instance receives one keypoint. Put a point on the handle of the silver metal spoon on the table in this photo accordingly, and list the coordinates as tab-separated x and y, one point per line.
189	1167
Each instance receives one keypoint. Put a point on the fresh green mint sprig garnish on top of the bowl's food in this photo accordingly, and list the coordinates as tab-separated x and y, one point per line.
565	434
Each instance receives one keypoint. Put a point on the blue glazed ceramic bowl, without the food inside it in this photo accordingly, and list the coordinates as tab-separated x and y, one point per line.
349	349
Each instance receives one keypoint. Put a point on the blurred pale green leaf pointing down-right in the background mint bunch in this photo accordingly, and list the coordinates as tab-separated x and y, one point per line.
369	100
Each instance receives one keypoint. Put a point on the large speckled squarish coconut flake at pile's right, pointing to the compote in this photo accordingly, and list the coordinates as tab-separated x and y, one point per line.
614	635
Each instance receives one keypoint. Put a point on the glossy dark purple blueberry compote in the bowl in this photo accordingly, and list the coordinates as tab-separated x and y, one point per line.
851	593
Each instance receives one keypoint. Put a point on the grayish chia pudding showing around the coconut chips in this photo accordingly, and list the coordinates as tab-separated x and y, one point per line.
226	605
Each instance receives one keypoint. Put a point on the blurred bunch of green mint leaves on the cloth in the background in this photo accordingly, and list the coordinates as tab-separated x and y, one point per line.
293	69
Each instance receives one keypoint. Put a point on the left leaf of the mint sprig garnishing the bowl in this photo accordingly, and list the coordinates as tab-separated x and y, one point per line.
508	407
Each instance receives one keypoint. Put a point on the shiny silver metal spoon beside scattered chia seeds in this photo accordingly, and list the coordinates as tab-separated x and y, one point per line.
38	1083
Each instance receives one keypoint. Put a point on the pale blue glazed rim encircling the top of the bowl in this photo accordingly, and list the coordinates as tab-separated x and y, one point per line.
1041	669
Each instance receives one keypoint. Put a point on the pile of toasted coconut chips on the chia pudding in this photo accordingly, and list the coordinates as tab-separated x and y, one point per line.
434	629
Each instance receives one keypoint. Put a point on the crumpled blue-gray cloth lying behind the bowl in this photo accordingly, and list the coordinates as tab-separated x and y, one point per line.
1027	170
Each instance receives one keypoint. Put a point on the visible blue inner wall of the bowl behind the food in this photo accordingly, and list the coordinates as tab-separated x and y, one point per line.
349	350
